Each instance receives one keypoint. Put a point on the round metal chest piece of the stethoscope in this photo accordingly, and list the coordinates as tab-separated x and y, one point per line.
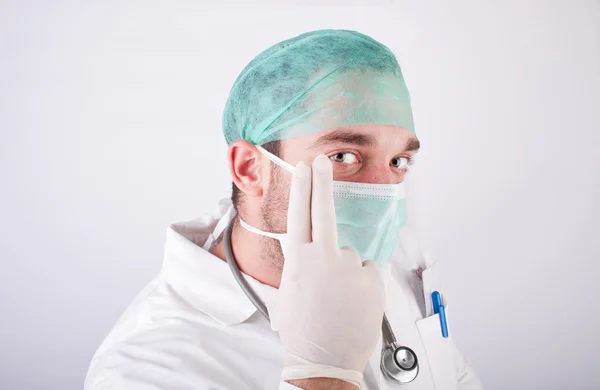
399	364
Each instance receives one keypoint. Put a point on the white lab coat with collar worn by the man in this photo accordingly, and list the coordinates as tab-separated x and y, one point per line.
192	327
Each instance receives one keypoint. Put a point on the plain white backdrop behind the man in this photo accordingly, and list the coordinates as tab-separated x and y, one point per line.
110	130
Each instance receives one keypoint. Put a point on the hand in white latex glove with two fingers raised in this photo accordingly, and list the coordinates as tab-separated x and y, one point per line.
330	304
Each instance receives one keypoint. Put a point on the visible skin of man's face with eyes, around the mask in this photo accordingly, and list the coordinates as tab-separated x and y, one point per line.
367	153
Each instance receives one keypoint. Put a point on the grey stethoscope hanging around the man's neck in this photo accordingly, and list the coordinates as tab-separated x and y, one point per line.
398	363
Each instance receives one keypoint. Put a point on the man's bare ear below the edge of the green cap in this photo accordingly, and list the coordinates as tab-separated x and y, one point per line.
245	166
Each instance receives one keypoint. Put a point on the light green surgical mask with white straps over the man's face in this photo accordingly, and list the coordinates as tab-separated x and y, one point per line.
368	216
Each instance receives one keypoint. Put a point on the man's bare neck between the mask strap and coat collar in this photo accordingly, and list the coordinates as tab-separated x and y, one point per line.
248	249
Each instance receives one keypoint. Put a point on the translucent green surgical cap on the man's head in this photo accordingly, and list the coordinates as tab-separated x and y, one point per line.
317	81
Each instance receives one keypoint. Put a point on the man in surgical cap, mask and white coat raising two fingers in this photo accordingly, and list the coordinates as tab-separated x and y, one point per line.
320	135
